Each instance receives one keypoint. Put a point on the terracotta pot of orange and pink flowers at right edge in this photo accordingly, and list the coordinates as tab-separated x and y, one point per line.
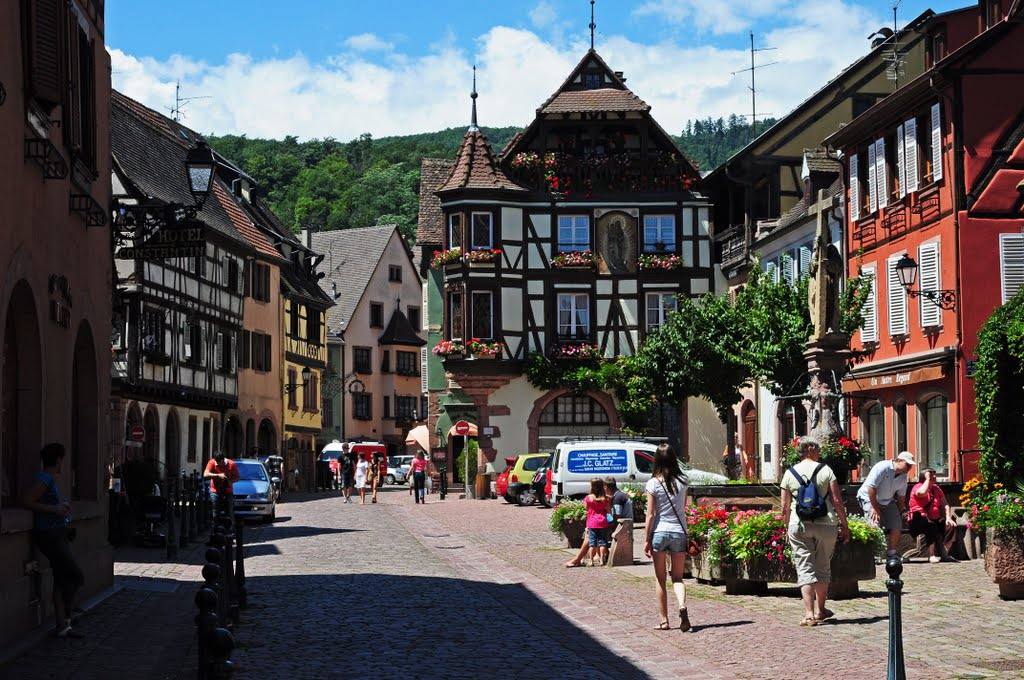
1000	514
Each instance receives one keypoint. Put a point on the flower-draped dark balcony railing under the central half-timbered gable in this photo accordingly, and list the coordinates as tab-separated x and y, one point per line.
626	173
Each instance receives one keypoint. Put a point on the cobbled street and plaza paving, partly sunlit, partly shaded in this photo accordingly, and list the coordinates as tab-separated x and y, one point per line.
475	589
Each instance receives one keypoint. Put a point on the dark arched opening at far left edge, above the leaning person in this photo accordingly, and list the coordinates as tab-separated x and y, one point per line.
22	397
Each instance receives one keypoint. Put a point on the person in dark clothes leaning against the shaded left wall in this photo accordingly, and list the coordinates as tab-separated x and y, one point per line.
53	535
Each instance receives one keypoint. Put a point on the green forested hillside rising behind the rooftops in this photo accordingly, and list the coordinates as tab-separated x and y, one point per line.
331	185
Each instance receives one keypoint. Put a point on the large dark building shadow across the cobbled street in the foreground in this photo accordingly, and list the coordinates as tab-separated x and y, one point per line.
442	627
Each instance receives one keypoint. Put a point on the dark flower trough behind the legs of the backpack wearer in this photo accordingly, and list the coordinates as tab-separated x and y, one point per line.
851	563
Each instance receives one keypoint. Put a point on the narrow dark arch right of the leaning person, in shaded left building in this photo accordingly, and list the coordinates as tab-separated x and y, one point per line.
84	417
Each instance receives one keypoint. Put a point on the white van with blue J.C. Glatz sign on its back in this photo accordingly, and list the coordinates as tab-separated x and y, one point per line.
628	461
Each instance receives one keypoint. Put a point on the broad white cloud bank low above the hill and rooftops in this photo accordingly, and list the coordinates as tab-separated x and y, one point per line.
398	94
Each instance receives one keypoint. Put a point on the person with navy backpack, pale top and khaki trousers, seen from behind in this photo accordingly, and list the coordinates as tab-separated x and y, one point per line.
810	489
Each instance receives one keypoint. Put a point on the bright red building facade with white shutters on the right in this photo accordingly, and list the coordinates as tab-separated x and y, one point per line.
933	174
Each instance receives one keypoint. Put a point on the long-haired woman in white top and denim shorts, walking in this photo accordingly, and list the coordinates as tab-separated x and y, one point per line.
667	532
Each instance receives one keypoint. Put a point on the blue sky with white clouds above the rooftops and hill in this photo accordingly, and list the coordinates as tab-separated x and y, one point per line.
317	68
